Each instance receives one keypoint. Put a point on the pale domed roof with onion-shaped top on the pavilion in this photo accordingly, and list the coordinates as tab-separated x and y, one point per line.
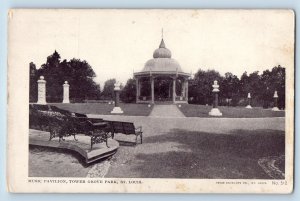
162	60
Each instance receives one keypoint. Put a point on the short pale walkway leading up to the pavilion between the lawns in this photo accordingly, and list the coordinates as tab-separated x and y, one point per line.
166	111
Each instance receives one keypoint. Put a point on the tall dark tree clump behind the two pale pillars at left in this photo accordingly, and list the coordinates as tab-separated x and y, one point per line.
78	73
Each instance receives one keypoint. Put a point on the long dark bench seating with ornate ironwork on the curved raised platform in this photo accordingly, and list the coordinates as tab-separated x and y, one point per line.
62	123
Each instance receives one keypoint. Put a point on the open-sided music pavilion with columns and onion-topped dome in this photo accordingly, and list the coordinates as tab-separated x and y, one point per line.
162	79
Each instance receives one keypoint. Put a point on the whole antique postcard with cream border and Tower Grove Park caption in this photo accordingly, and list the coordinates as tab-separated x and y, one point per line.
150	101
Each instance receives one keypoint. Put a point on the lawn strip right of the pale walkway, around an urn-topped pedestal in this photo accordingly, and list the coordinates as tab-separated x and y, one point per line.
190	110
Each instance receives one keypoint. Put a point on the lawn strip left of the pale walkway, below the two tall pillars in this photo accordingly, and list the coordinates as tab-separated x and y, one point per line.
105	109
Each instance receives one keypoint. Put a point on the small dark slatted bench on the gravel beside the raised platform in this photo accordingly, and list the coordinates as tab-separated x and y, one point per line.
126	128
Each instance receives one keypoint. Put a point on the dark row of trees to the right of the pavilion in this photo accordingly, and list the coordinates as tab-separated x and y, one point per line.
234	91
